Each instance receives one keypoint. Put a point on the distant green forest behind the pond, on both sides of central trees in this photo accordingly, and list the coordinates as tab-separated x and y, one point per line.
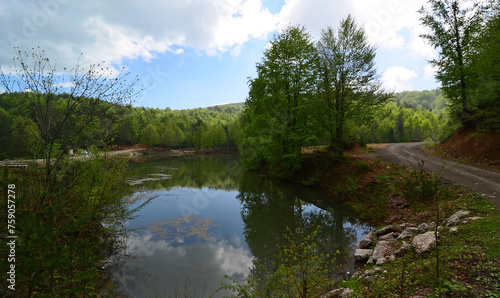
410	116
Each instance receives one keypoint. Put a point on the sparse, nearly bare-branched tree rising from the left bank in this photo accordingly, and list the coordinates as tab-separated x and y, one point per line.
35	85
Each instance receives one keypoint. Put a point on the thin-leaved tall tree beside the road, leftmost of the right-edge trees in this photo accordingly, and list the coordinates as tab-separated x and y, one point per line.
455	26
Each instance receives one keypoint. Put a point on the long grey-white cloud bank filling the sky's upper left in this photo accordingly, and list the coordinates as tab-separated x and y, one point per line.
115	30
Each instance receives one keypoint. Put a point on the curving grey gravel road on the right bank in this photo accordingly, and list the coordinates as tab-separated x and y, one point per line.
485	182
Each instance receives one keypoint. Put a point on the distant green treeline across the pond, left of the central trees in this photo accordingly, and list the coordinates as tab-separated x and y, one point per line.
122	125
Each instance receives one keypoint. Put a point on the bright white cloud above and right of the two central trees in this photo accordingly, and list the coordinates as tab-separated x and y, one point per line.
386	22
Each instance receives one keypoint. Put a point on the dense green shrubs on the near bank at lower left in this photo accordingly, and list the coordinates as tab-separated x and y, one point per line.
65	232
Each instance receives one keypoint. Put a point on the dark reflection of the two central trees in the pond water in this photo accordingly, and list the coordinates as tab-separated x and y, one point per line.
269	207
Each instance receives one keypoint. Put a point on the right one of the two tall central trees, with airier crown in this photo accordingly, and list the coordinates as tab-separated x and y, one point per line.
349	88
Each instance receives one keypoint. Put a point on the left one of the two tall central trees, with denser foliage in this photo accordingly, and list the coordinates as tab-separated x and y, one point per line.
277	110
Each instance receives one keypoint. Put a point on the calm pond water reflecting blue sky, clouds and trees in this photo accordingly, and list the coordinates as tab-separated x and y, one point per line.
210	218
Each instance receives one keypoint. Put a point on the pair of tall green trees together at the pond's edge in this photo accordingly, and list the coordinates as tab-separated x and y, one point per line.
306	92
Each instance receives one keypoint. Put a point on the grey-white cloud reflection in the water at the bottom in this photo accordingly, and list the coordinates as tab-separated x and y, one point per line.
198	263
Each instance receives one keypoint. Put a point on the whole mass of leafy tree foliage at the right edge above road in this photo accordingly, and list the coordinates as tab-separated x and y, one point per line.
466	35
